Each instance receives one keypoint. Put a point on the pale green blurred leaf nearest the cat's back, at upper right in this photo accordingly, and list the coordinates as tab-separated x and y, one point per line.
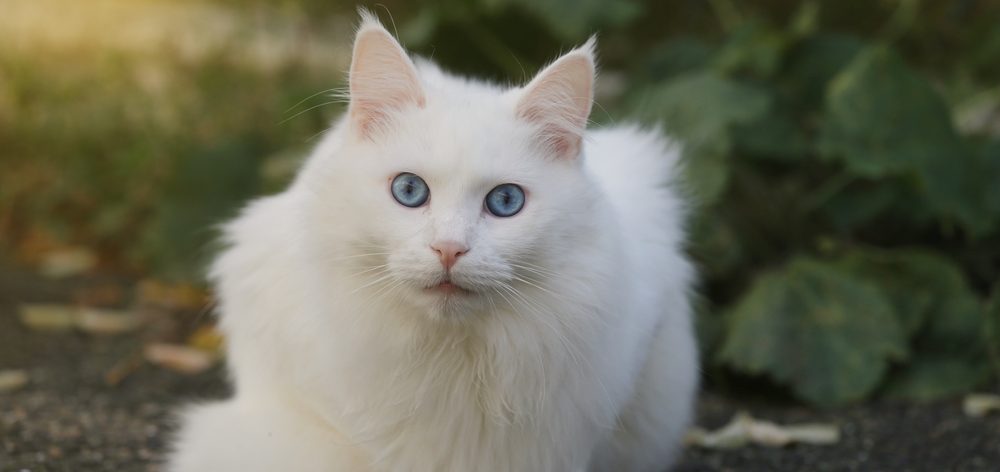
700	108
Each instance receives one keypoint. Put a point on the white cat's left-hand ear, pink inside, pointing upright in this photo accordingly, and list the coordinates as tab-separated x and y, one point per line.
383	79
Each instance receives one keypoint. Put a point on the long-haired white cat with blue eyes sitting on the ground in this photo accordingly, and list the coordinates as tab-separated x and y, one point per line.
461	278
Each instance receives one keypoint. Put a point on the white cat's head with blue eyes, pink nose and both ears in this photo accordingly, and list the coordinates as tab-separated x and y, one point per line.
449	195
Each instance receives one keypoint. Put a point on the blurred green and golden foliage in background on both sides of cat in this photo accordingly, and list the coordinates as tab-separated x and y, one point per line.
845	157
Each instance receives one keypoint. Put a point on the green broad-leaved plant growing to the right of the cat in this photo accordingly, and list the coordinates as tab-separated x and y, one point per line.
836	169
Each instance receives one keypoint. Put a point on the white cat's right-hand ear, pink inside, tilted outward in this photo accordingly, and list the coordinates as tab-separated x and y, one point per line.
558	100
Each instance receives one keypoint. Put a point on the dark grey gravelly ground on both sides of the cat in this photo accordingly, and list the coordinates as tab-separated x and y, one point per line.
68	419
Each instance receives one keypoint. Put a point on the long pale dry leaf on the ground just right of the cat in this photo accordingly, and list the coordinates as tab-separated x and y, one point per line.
744	429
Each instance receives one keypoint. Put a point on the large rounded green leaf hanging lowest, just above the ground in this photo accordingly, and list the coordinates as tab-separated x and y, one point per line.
825	334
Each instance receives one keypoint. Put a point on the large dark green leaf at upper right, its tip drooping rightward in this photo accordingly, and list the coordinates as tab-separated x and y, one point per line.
883	120
